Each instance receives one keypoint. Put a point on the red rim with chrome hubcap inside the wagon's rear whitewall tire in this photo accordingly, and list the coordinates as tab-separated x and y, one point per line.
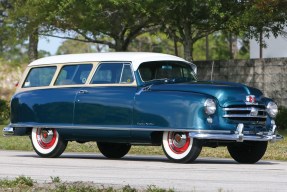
46	137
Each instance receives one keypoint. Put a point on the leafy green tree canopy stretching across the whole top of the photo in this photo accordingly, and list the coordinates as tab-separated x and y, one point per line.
119	24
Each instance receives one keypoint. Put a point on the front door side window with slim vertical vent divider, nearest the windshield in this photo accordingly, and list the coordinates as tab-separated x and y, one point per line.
113	73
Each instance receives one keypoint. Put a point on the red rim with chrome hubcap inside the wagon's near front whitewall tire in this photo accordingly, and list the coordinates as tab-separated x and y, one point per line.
178	142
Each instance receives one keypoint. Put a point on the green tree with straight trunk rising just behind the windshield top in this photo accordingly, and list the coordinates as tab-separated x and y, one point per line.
190	20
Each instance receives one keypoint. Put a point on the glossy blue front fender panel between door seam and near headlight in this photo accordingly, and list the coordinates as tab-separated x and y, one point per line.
170	110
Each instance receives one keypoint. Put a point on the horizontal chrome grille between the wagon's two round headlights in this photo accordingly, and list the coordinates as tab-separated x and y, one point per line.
254	114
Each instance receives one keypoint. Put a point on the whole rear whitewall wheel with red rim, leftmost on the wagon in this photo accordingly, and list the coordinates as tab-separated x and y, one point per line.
47	142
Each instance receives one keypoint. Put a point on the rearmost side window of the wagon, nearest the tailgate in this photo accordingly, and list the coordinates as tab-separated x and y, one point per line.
40	76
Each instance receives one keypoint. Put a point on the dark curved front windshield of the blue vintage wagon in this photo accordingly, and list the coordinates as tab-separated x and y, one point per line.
166	72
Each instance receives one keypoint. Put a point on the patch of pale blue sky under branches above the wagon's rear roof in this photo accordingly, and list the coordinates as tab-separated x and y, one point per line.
50	44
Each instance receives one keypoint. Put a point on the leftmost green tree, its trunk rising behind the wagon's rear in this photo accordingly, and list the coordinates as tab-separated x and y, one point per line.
26	20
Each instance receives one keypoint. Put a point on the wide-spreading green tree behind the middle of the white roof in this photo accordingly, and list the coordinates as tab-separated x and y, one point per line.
110	22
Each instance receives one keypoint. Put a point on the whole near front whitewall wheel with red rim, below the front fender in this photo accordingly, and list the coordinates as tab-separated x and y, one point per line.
180	147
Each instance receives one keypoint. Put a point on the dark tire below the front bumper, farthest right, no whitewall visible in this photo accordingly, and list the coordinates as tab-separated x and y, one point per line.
247	152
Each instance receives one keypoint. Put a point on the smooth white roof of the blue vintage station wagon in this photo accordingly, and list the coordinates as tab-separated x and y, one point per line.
136	58
